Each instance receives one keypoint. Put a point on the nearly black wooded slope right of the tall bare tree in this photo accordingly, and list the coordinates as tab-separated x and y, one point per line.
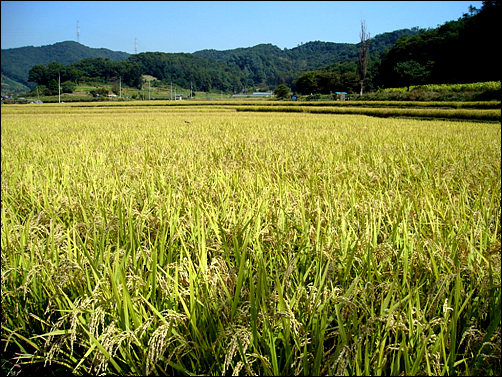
459	51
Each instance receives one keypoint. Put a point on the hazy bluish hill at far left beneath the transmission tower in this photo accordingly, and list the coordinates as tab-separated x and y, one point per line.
17	62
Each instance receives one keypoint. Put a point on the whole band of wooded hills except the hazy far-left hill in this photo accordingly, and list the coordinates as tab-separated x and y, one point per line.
456	52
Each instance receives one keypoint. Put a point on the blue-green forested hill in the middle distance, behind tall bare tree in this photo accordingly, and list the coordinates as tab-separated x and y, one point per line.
264	66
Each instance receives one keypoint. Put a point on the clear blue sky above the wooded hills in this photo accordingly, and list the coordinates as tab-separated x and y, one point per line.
189	26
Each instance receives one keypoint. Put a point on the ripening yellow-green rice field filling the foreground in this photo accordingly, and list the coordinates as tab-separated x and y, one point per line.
140	240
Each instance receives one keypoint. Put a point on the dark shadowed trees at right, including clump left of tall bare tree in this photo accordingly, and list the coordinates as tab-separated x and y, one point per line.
461	51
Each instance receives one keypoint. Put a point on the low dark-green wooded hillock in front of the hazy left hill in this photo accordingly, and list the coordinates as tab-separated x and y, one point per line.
183	70
